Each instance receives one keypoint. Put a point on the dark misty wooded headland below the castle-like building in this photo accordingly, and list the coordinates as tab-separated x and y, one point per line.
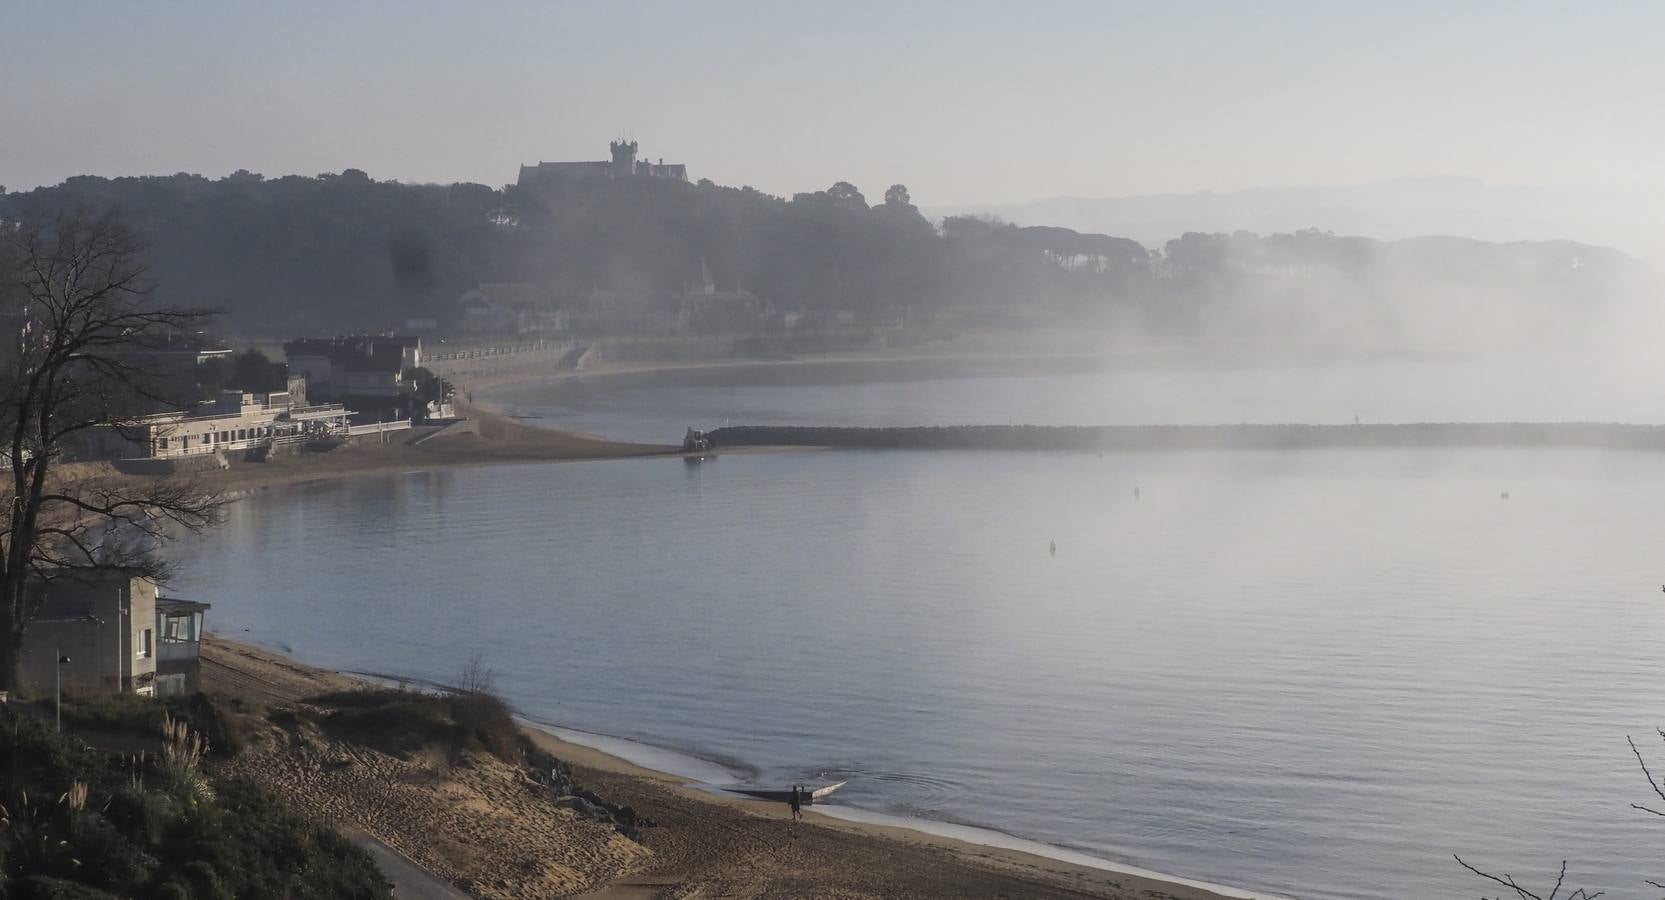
344	252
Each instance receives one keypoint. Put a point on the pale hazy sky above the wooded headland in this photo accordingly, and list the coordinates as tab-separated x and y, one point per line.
962	101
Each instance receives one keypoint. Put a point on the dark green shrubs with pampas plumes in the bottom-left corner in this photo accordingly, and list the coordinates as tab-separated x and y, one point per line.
81	824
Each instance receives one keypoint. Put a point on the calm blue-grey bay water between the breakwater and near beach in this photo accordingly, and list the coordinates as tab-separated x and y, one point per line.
1316	675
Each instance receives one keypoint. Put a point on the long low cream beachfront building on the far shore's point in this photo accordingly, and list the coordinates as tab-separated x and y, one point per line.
237	422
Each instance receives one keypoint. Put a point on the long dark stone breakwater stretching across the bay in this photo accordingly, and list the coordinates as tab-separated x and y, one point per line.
1218	437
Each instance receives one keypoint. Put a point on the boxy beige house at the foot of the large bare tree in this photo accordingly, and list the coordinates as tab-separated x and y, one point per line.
102	625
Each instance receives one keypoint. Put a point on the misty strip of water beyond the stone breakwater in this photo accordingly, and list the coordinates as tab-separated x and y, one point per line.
1135	390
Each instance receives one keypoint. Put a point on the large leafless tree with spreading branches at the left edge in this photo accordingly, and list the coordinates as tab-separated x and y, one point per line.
77	332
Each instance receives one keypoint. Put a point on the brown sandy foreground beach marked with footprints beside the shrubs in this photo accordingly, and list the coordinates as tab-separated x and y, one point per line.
489	829
